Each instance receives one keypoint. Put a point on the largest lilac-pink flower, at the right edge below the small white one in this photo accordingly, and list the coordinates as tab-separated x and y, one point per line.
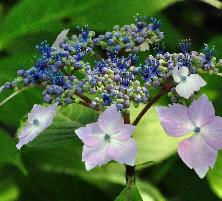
199	152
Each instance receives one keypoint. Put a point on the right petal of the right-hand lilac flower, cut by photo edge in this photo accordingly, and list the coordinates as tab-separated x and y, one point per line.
212	133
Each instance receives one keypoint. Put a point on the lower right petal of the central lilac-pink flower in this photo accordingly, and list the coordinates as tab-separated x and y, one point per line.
123	152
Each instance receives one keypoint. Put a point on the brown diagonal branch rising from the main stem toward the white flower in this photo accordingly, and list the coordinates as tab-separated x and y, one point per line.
166	88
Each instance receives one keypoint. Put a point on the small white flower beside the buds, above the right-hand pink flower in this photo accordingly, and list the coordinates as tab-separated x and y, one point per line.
187	84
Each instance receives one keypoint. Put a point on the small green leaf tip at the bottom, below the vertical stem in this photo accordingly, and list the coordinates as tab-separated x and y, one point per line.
129	194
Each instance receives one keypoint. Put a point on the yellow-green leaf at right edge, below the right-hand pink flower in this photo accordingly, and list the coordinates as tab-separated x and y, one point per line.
215	177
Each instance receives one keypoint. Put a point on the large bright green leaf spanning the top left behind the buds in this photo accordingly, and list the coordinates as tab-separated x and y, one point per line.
47	15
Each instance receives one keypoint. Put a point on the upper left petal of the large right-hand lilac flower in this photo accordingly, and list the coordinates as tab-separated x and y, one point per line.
175	120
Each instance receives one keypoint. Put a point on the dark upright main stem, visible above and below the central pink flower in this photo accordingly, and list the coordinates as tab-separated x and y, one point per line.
130	170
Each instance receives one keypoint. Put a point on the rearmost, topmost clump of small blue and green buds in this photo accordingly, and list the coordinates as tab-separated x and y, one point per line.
131	38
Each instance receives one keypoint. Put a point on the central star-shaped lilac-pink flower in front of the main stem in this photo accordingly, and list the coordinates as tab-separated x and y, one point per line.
108	139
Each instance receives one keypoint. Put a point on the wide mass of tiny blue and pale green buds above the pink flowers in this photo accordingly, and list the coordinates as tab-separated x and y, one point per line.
120	78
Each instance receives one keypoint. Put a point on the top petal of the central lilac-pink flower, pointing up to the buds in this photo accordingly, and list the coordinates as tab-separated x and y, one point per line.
110	121
